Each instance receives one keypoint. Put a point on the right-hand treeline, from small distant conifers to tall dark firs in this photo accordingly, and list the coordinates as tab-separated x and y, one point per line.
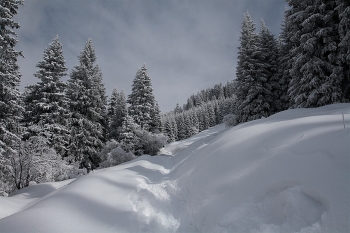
308	65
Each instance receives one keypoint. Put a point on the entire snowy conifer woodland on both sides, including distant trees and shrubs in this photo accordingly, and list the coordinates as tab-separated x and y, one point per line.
54	129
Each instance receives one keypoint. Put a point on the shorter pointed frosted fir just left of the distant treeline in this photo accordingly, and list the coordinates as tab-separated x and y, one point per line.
141	100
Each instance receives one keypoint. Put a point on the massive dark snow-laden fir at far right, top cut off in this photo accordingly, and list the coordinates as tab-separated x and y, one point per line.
317	77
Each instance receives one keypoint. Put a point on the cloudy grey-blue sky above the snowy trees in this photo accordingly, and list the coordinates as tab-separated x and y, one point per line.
186	45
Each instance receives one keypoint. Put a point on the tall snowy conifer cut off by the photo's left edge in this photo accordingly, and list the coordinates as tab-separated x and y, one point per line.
10	98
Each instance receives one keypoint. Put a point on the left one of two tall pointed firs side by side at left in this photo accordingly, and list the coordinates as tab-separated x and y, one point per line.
46	103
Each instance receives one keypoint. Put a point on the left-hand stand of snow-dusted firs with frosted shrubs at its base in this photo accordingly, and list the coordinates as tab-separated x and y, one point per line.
55	128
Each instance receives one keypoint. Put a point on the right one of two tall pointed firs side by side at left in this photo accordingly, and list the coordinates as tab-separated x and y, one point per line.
87	103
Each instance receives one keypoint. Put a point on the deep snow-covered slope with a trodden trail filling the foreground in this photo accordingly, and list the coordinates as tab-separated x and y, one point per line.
286	173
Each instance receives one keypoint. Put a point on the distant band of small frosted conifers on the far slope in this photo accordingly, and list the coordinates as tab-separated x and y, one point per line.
202	110
